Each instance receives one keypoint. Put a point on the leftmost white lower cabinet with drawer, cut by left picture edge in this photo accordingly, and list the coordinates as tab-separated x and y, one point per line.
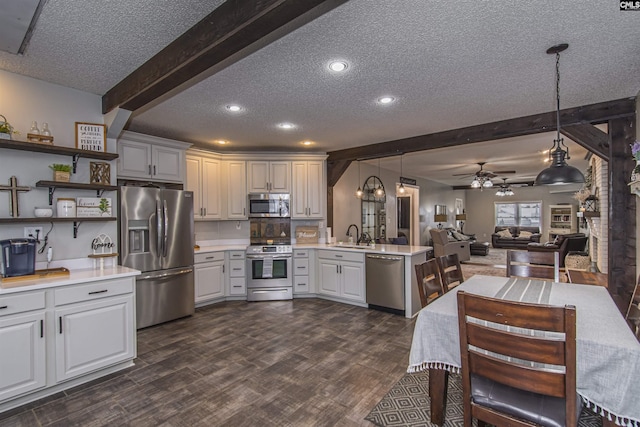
23	357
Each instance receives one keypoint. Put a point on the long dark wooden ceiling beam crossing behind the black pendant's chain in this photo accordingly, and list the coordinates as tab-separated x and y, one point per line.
538	123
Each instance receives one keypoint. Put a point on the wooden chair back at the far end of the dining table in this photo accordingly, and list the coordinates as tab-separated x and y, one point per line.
542	265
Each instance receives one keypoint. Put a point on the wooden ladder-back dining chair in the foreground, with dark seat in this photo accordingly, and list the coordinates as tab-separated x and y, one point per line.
506	378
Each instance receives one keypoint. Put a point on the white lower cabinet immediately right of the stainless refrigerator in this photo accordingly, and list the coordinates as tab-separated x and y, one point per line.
209	276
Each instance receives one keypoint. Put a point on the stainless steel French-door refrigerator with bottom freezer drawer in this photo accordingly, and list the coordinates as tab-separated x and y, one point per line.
156	237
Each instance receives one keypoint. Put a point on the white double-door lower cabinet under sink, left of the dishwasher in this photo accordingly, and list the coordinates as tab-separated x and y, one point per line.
341	275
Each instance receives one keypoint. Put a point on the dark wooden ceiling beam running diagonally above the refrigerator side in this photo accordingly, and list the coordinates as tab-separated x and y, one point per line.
231	32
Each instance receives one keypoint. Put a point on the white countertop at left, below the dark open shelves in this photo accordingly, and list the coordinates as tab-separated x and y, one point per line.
87	275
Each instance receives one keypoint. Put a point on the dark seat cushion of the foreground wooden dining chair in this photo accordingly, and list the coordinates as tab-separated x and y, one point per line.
539	409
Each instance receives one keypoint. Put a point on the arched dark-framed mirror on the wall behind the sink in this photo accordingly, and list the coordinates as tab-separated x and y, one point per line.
373	210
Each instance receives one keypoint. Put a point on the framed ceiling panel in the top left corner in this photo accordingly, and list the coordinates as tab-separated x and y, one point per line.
17	21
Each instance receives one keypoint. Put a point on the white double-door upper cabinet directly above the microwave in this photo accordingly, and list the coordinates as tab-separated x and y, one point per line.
269	177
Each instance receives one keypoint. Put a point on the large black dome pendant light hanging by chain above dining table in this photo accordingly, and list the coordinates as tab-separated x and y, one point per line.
559	172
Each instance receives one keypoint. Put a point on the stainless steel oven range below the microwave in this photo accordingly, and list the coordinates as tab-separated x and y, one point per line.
269	273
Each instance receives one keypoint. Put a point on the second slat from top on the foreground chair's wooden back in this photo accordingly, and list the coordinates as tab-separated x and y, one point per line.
526	347
